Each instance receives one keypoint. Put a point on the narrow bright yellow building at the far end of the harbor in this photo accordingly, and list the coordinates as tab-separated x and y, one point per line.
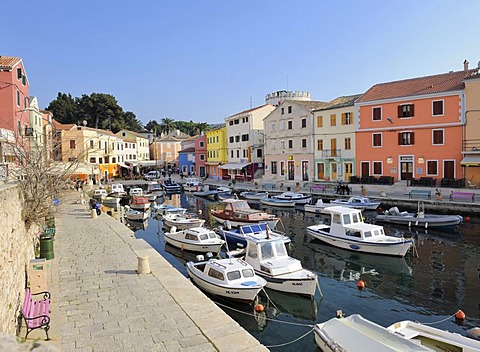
216	151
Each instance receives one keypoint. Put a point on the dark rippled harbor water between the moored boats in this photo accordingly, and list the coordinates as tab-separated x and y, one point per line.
430	288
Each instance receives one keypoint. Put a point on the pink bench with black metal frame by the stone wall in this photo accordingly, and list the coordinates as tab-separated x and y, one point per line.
36	313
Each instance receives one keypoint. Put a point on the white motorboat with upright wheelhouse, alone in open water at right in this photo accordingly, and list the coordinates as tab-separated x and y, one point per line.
348	231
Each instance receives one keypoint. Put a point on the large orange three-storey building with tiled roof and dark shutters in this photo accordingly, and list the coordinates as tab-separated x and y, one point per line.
412	128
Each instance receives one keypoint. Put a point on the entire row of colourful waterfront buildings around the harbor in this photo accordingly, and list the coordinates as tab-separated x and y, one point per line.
420	127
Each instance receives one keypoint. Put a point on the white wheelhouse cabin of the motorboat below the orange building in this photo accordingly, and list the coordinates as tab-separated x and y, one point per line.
349	223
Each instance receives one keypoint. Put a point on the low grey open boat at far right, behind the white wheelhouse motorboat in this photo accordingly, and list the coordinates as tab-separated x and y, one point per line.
419	219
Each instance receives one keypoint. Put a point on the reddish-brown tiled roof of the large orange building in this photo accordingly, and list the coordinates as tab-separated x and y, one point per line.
441	83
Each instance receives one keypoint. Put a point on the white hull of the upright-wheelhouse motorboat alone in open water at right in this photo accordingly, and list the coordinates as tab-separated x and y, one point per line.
398	248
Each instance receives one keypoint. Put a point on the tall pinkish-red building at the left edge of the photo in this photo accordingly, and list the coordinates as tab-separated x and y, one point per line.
14	103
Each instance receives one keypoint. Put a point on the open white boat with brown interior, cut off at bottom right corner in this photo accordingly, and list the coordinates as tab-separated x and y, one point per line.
433	339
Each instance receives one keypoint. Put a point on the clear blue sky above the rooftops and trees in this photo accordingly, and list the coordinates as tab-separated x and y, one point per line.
203	60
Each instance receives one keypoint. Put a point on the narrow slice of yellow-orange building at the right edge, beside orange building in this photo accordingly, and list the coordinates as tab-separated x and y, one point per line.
471	137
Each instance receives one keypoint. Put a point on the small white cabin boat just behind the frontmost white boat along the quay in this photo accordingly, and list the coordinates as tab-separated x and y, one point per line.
196	239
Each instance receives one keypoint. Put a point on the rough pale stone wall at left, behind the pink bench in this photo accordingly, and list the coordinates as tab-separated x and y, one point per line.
16	250
